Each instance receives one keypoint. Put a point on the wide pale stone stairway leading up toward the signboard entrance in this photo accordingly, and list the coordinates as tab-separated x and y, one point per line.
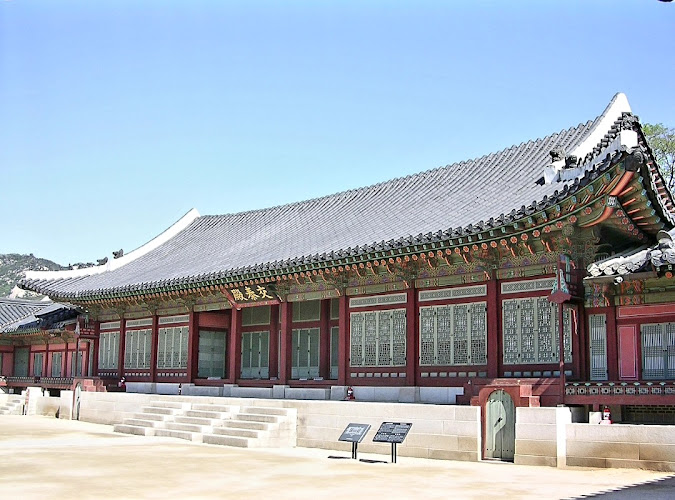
254	425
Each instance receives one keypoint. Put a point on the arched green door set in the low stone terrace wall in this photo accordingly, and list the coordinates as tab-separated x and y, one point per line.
500	421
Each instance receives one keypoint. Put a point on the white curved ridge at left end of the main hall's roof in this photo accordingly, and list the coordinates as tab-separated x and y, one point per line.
162	238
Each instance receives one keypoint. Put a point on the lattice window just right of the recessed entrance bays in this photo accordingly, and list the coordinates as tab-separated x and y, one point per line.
380	336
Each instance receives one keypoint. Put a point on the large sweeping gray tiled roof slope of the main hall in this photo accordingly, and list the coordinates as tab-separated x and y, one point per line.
435	204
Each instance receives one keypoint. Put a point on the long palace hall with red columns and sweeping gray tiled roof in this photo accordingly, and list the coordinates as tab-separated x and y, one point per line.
541	274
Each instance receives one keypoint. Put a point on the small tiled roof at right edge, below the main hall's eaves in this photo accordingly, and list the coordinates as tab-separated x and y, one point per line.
661	254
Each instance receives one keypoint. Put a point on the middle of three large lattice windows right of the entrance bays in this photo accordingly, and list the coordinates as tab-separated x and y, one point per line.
453	334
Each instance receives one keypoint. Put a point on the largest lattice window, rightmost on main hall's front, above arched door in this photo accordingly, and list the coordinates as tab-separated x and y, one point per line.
530	331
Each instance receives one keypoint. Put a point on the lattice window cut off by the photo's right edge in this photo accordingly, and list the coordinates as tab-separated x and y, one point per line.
658	351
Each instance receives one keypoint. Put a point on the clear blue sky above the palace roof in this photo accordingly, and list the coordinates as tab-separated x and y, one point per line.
117	117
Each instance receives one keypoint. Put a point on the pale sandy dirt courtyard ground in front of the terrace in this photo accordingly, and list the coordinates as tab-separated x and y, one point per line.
47	458
